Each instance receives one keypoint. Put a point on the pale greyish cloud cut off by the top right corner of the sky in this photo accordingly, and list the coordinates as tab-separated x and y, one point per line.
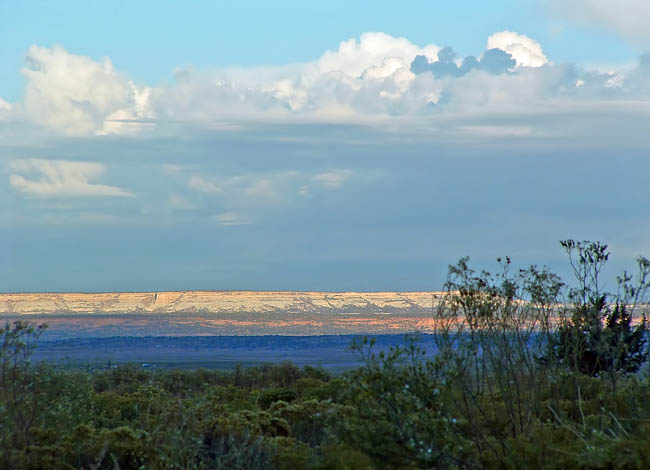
627	18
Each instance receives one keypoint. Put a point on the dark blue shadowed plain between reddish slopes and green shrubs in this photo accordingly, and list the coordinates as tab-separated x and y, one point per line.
218	352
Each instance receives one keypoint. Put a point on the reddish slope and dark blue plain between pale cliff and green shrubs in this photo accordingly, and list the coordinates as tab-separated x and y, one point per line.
219	341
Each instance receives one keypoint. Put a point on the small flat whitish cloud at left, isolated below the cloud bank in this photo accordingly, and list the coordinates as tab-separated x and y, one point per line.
60	178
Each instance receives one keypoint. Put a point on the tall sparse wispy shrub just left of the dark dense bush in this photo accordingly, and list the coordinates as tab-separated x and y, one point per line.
491	331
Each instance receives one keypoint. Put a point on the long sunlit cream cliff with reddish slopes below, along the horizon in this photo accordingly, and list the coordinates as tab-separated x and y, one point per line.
197	313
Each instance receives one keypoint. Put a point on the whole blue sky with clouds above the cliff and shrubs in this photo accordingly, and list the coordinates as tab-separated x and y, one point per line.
316	145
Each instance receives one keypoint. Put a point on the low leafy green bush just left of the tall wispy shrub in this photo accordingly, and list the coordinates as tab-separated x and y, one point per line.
397	417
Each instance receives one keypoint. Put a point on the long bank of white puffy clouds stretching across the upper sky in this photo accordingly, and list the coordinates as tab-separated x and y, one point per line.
375	81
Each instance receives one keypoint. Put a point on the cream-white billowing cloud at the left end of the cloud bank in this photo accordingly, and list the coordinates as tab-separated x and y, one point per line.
77	95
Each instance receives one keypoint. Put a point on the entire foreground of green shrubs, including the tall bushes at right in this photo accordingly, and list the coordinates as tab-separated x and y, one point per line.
529	374
